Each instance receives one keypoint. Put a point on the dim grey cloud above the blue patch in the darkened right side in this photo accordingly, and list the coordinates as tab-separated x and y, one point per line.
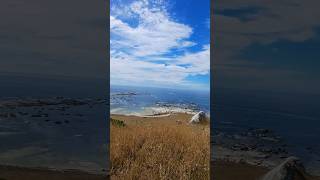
274	20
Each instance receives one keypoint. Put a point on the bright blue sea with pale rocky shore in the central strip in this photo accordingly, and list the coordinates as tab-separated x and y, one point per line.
150	100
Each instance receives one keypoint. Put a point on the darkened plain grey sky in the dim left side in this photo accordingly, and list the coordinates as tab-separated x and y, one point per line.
53	38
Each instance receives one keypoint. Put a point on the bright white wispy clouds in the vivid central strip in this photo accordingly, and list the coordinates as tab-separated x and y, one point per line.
150	47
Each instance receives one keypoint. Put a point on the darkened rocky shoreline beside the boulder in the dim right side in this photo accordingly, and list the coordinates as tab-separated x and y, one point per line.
257	147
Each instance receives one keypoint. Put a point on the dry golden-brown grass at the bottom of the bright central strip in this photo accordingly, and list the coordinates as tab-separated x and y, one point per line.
159	151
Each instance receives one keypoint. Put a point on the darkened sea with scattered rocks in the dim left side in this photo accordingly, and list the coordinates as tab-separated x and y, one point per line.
57	123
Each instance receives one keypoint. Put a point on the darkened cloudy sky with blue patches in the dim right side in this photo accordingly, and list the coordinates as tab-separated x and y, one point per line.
267	45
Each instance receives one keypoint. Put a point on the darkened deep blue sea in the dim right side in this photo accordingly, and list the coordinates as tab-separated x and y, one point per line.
295	117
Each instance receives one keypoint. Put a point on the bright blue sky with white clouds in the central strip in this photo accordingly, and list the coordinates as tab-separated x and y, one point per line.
160	43
